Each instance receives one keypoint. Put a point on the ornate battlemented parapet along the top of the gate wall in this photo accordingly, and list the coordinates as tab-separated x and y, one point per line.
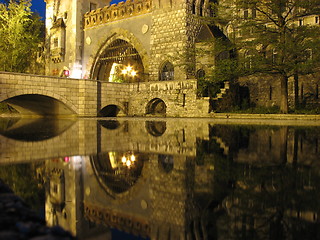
116	12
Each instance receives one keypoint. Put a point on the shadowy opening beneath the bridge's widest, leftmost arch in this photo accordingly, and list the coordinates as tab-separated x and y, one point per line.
35	104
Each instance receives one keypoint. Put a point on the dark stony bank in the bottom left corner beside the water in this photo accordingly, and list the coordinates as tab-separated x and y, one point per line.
18	221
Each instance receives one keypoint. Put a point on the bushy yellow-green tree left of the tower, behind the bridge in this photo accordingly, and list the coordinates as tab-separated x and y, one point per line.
20	36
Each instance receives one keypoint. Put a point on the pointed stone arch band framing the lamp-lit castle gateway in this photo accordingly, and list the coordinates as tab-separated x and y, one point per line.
115	34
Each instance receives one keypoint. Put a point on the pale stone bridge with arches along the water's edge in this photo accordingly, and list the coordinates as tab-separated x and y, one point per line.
45	95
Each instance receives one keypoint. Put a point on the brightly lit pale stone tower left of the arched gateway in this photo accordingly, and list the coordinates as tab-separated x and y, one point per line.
64	35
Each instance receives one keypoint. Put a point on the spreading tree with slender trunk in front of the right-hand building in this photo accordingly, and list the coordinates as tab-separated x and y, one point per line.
270	37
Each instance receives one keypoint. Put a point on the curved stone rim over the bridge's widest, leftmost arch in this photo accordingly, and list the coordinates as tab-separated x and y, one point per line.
34	91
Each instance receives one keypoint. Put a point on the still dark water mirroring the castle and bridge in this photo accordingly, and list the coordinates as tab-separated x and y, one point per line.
167	178
